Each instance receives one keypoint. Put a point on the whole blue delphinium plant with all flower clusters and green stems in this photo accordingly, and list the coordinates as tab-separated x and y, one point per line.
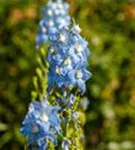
67	58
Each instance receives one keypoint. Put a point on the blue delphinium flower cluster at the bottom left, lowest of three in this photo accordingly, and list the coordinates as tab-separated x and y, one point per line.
41	123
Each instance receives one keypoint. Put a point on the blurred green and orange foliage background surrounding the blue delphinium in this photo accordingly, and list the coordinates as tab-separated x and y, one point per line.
109	26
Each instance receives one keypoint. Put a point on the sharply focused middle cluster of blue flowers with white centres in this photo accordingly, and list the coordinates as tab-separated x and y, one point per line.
67	57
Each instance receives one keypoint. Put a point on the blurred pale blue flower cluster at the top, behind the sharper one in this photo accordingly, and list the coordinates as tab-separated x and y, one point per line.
55	16
